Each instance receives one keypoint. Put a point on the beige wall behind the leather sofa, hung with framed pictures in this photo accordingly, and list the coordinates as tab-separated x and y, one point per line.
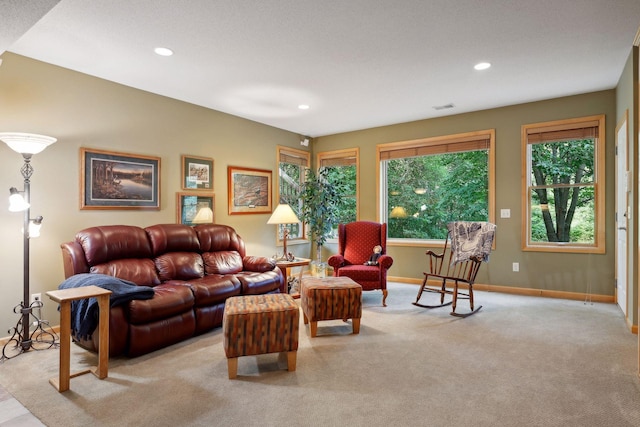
83	111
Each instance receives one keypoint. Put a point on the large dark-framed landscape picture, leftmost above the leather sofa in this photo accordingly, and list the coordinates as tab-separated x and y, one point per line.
111	180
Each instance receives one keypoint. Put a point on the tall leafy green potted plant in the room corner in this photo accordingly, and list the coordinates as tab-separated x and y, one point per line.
320	202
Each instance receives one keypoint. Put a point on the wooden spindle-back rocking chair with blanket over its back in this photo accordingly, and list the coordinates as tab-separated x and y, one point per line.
447	272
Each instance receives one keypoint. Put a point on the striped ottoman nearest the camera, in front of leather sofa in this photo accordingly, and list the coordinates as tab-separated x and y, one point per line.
260	324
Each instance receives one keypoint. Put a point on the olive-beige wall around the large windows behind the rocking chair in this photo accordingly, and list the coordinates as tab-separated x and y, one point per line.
575	273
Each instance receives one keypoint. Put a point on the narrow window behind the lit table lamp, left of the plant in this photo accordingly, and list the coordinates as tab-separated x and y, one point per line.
292	165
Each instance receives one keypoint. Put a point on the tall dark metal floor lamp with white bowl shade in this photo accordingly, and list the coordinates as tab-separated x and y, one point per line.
23	339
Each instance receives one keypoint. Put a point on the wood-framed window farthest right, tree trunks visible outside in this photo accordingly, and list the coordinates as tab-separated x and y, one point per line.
563	207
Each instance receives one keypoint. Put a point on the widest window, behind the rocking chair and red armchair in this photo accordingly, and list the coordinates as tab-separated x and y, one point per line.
426	183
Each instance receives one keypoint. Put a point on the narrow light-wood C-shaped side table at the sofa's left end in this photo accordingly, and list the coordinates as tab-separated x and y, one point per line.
64	298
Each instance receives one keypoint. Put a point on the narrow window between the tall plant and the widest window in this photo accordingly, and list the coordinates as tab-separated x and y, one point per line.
343	166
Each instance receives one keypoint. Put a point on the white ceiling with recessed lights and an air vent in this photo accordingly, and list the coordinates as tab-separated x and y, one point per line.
357	63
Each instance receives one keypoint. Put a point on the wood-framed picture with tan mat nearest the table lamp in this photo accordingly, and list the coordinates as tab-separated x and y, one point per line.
249	190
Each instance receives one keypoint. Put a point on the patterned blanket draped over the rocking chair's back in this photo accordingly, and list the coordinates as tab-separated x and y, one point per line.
470	239
